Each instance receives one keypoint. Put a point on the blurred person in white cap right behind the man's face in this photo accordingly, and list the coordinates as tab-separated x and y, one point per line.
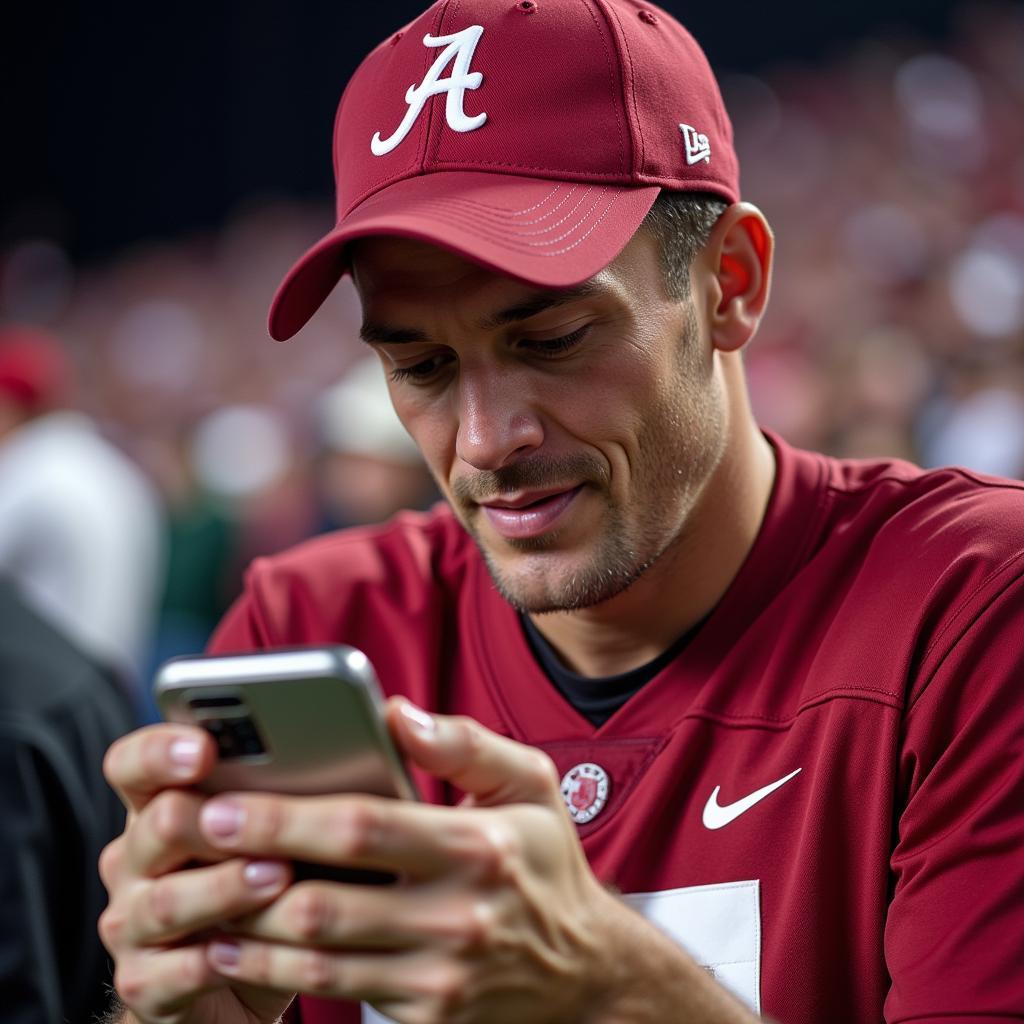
369	467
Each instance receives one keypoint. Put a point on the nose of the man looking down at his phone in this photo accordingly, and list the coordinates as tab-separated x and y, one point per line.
497	423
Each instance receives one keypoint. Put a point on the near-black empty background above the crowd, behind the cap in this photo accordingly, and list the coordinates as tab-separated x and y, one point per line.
126	121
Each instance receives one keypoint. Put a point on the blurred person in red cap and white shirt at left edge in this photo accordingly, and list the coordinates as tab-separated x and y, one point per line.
80	527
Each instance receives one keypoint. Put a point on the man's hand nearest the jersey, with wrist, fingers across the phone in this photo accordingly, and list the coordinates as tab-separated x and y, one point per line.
497	918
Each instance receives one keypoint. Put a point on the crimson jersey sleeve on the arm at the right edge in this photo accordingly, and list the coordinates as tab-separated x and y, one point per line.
955	932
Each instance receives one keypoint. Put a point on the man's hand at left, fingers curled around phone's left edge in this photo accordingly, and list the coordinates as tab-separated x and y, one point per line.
158	914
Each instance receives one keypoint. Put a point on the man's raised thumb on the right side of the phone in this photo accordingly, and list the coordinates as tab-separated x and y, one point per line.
491	770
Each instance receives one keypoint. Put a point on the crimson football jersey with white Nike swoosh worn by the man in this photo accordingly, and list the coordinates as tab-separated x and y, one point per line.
821	797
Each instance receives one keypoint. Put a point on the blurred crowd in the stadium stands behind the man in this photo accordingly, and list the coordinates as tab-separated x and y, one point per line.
893	173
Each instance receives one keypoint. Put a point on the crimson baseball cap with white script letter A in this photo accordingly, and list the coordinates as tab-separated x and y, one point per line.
532	137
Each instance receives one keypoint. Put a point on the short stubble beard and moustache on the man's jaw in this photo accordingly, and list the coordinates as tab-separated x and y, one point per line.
681	444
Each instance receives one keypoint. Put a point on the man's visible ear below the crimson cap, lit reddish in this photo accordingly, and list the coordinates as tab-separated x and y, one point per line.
736	265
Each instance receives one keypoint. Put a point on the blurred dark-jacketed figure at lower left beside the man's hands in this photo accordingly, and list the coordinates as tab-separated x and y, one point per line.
59	713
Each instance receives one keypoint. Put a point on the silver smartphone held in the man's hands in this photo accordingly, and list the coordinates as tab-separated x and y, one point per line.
300	721
